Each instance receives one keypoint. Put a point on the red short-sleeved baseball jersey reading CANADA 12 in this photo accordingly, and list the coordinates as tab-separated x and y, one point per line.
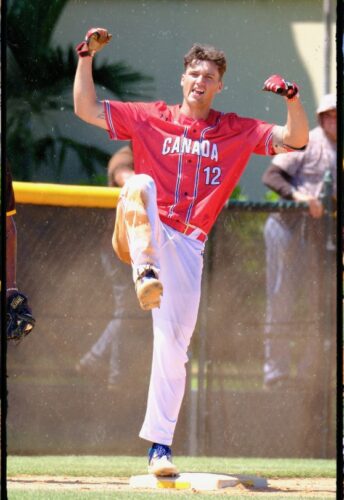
195	164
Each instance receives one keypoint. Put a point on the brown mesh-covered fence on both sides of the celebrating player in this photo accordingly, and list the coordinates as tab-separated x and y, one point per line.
79	383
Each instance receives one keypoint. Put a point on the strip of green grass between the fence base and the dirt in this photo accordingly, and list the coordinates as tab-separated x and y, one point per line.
102	466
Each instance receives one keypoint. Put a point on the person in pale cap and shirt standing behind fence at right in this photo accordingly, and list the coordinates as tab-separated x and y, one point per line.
293	249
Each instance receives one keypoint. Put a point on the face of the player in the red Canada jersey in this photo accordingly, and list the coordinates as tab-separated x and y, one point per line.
201	82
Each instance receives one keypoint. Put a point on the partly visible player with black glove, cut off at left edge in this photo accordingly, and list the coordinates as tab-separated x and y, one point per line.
20	321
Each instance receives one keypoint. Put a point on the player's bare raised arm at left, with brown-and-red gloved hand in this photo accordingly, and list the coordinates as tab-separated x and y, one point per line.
86	105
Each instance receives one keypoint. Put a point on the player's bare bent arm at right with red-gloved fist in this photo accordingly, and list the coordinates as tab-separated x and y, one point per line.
294	134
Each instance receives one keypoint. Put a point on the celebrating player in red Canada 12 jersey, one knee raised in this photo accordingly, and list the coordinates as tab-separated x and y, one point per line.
188	158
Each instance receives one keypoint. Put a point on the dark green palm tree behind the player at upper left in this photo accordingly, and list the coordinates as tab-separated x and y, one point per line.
38	87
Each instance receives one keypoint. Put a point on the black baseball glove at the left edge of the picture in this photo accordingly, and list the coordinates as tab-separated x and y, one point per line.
20	321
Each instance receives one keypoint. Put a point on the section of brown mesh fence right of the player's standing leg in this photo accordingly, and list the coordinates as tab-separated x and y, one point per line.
267	345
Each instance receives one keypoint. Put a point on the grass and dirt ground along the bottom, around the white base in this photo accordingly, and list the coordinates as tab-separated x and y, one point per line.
100	477
